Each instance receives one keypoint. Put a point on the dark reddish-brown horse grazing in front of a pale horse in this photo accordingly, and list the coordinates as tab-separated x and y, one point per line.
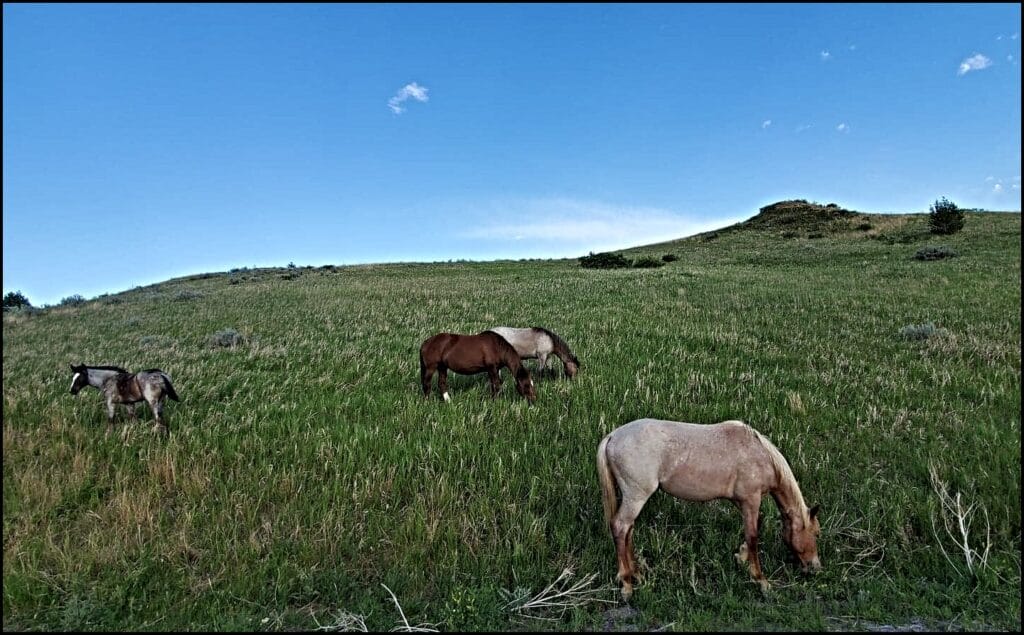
468	355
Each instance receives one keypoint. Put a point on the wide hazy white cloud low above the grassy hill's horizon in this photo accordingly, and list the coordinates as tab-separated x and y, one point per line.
587	226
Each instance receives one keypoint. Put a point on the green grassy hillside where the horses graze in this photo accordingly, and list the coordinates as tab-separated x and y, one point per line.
306	479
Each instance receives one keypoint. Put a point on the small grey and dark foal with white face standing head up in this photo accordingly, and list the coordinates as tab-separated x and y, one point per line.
121	387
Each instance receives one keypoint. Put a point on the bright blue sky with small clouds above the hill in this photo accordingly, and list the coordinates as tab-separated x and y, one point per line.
143	143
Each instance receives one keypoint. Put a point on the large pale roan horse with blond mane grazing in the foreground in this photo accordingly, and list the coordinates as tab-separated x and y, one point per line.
729	460
